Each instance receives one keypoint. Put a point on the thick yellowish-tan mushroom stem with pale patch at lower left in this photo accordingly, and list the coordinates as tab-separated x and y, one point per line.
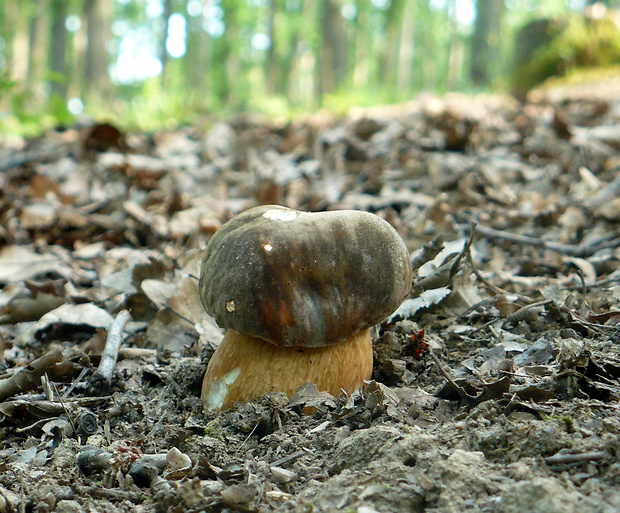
245	368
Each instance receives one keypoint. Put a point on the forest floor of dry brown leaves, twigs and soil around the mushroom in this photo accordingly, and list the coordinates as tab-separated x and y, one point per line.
495	385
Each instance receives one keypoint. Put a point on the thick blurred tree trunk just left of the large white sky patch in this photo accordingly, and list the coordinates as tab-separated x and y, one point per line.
98	16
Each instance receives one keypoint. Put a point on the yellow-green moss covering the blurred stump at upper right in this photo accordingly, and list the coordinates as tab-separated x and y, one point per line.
575	43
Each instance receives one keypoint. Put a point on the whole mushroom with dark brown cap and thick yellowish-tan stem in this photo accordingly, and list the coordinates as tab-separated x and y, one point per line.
298	293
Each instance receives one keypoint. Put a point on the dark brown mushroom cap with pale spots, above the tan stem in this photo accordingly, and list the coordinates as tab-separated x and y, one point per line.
306	279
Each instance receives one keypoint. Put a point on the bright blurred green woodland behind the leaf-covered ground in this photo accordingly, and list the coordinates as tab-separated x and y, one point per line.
164	62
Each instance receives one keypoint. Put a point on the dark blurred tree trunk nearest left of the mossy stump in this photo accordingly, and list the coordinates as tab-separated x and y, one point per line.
485	45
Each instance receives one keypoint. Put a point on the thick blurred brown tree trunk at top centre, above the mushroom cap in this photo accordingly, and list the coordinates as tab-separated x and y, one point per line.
333	66
